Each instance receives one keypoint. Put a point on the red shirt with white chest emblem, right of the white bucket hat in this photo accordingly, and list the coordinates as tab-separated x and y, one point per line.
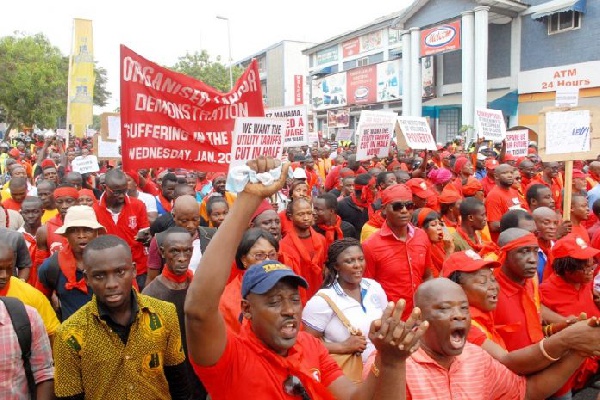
132	218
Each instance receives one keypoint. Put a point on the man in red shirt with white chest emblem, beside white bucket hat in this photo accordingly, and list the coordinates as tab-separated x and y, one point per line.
125	217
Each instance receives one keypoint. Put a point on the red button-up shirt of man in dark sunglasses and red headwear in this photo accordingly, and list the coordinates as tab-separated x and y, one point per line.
397	265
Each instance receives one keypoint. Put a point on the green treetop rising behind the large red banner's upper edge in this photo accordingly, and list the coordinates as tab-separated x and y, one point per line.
213	73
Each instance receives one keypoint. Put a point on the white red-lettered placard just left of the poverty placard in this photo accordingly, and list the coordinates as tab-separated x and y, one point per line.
375	129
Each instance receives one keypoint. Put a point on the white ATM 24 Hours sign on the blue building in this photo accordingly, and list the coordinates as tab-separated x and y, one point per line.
582	75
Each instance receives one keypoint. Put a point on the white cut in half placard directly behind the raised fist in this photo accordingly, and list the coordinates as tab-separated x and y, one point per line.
254	136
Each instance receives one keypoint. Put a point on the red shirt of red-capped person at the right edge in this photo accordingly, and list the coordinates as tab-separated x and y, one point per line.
566	300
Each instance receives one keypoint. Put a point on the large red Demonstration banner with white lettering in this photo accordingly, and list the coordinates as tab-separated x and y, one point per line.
172	120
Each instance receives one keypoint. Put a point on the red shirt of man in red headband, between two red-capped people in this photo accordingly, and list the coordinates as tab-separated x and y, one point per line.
518	315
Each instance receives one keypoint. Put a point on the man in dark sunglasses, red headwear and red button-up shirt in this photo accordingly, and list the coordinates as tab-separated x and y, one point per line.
398	255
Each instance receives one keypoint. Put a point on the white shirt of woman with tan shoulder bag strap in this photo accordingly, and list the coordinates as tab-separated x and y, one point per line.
319	316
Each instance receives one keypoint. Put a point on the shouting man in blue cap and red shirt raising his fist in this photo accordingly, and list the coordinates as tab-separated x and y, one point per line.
271	358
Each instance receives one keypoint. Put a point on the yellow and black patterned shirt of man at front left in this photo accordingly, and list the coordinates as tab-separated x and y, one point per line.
90	358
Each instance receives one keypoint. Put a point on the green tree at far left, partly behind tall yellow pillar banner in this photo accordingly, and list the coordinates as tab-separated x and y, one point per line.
33	82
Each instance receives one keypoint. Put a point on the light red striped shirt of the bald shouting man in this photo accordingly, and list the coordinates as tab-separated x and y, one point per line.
474	375
